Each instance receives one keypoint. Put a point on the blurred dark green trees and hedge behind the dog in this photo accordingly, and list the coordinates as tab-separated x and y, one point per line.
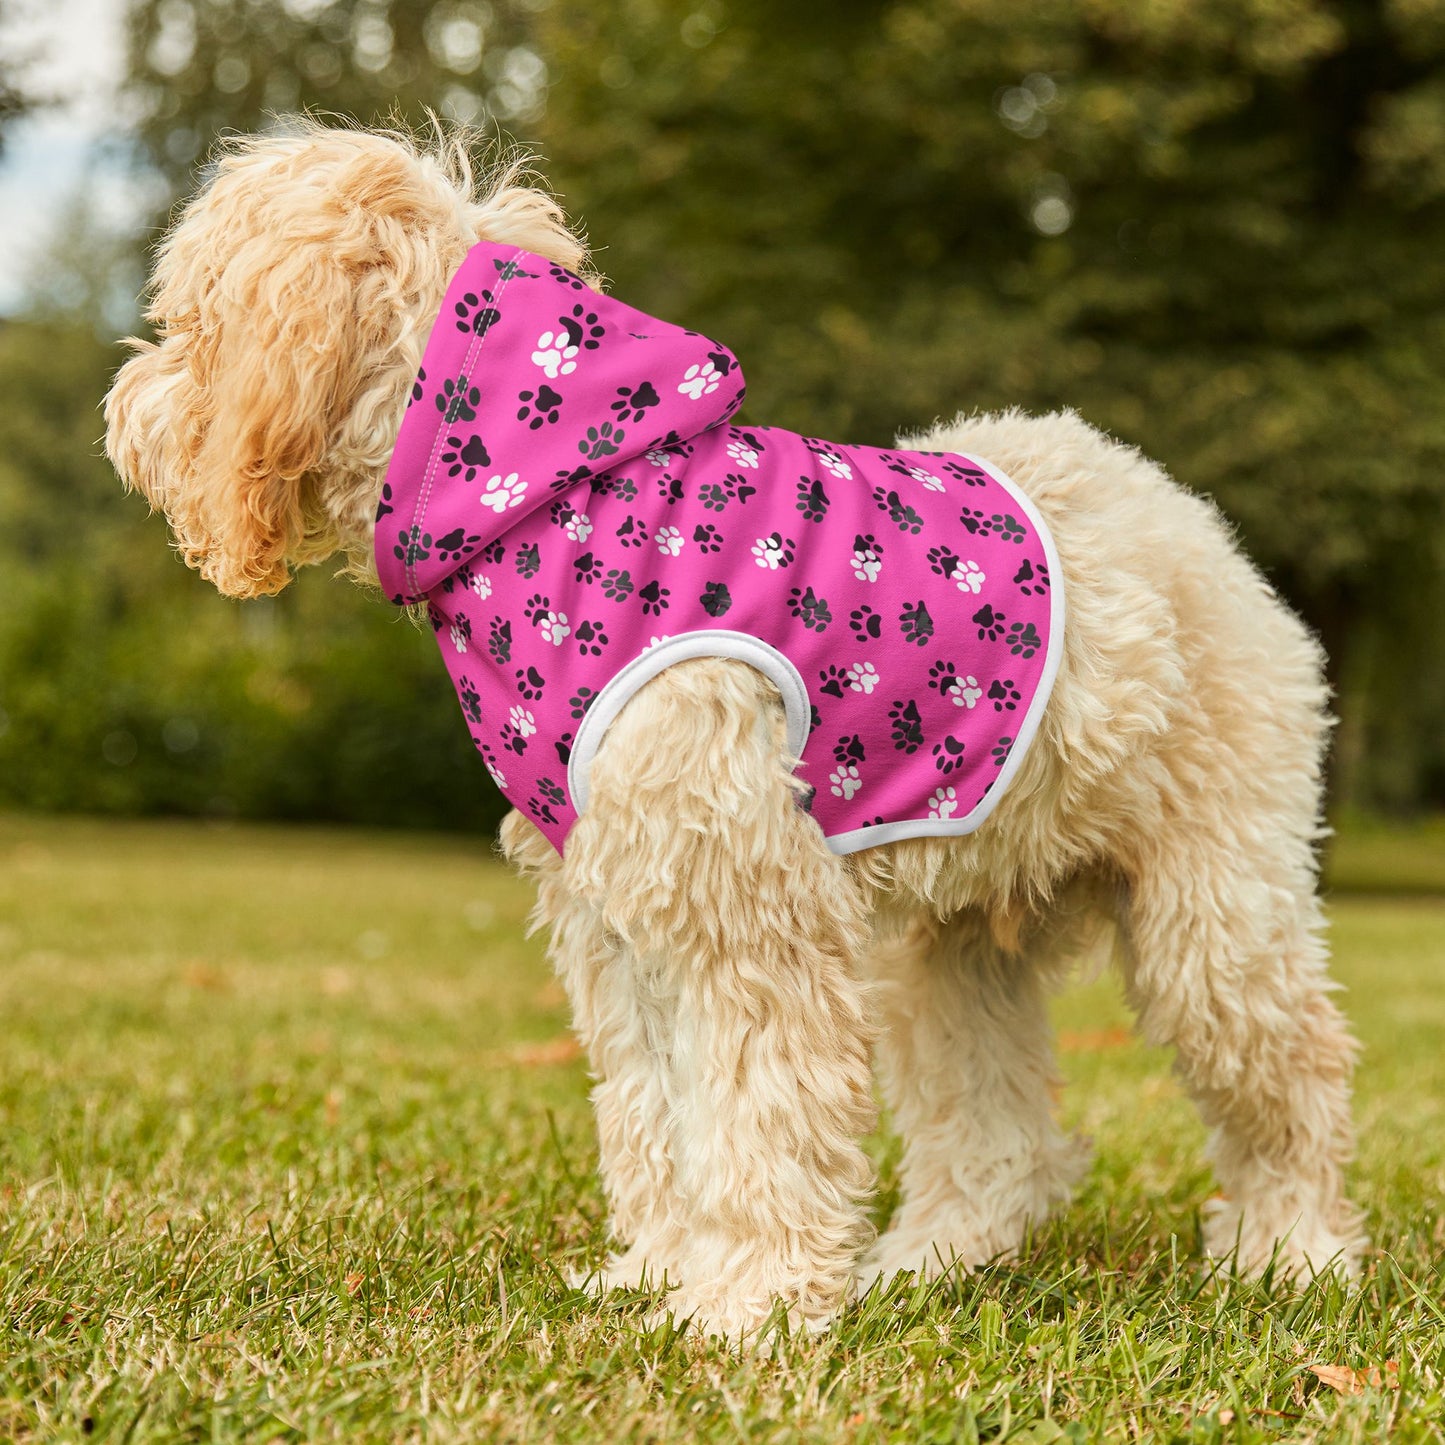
1215	228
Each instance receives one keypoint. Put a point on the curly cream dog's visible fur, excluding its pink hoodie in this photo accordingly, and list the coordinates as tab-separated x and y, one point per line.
730	976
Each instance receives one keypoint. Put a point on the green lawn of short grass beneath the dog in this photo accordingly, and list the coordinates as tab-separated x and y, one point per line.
284	1155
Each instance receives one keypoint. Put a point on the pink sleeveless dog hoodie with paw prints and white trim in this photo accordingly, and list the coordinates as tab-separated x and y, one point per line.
569	499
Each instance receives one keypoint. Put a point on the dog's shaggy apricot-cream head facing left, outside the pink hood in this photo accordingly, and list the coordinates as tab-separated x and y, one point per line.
293	301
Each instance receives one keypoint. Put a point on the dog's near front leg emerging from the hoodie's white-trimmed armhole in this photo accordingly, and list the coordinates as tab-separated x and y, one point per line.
736	934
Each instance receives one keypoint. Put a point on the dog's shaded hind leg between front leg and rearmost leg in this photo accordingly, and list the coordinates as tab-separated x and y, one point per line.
967	1066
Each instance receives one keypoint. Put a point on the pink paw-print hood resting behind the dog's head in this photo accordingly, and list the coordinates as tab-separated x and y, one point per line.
532	385
